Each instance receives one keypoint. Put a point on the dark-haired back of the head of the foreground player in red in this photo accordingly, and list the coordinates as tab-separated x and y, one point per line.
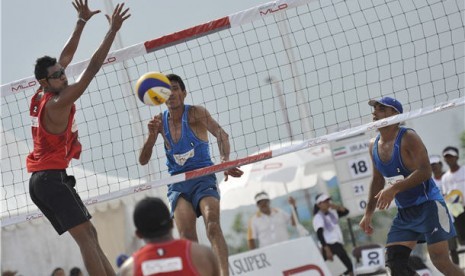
152	218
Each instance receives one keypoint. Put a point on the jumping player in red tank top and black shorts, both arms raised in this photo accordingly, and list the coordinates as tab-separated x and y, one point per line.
55	137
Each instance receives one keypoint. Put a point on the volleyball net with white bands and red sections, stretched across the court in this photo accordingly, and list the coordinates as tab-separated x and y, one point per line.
296	70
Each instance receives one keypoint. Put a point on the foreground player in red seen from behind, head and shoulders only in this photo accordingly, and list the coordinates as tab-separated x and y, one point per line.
163	254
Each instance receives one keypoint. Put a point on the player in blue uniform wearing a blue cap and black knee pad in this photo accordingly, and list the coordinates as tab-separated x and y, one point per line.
401	171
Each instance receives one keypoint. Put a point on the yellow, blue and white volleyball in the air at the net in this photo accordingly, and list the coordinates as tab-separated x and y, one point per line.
153	88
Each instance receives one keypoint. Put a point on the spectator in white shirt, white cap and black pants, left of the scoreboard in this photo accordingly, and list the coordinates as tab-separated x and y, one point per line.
326	225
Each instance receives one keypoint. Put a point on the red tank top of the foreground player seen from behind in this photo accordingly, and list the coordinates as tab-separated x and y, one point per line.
172	258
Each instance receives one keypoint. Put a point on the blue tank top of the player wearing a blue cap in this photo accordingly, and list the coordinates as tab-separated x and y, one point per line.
394	170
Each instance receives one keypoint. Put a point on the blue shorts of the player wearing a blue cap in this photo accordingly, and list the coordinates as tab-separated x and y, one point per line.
429	221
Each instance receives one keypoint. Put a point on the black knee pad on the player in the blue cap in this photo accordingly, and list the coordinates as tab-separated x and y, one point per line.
397	260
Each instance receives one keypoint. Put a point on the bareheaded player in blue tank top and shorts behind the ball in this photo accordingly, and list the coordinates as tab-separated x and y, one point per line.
184	129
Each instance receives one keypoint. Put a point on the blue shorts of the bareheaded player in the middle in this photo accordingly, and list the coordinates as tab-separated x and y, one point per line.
193	190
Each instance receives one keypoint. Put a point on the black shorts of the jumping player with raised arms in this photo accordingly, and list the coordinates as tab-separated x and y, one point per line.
53	192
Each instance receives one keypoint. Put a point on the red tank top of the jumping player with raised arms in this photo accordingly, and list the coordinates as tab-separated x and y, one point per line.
51	151
